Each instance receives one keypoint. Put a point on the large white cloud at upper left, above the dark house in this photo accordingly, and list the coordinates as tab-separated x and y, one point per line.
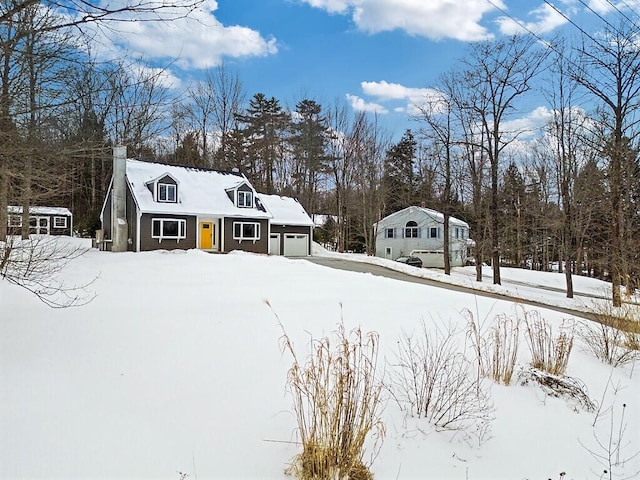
197	41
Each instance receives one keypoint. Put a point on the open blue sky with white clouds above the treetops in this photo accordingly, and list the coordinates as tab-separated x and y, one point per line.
375	55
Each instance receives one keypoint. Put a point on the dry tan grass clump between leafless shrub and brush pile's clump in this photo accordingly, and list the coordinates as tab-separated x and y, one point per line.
497	351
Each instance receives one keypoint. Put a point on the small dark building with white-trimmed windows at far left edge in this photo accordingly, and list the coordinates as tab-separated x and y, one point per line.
42	220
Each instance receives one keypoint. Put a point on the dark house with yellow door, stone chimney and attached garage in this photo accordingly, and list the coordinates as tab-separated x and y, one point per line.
153	206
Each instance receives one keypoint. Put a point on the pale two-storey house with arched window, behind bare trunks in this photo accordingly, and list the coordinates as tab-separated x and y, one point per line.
419	231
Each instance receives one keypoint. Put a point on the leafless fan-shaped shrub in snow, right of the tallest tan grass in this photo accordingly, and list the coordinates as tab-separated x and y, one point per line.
432	379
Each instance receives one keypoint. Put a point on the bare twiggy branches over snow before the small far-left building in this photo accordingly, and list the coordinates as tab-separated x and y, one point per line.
34	264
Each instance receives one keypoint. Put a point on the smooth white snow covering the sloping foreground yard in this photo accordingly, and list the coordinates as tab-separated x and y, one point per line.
176	366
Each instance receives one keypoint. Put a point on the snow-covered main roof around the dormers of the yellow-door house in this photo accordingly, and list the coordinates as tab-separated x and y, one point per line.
200	192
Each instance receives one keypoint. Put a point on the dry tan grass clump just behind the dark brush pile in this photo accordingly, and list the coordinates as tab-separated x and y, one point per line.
548	353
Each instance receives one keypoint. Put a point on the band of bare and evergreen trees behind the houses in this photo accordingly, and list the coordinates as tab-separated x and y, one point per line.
566	194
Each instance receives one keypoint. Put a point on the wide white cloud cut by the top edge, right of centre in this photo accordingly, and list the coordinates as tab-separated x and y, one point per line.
427	18
